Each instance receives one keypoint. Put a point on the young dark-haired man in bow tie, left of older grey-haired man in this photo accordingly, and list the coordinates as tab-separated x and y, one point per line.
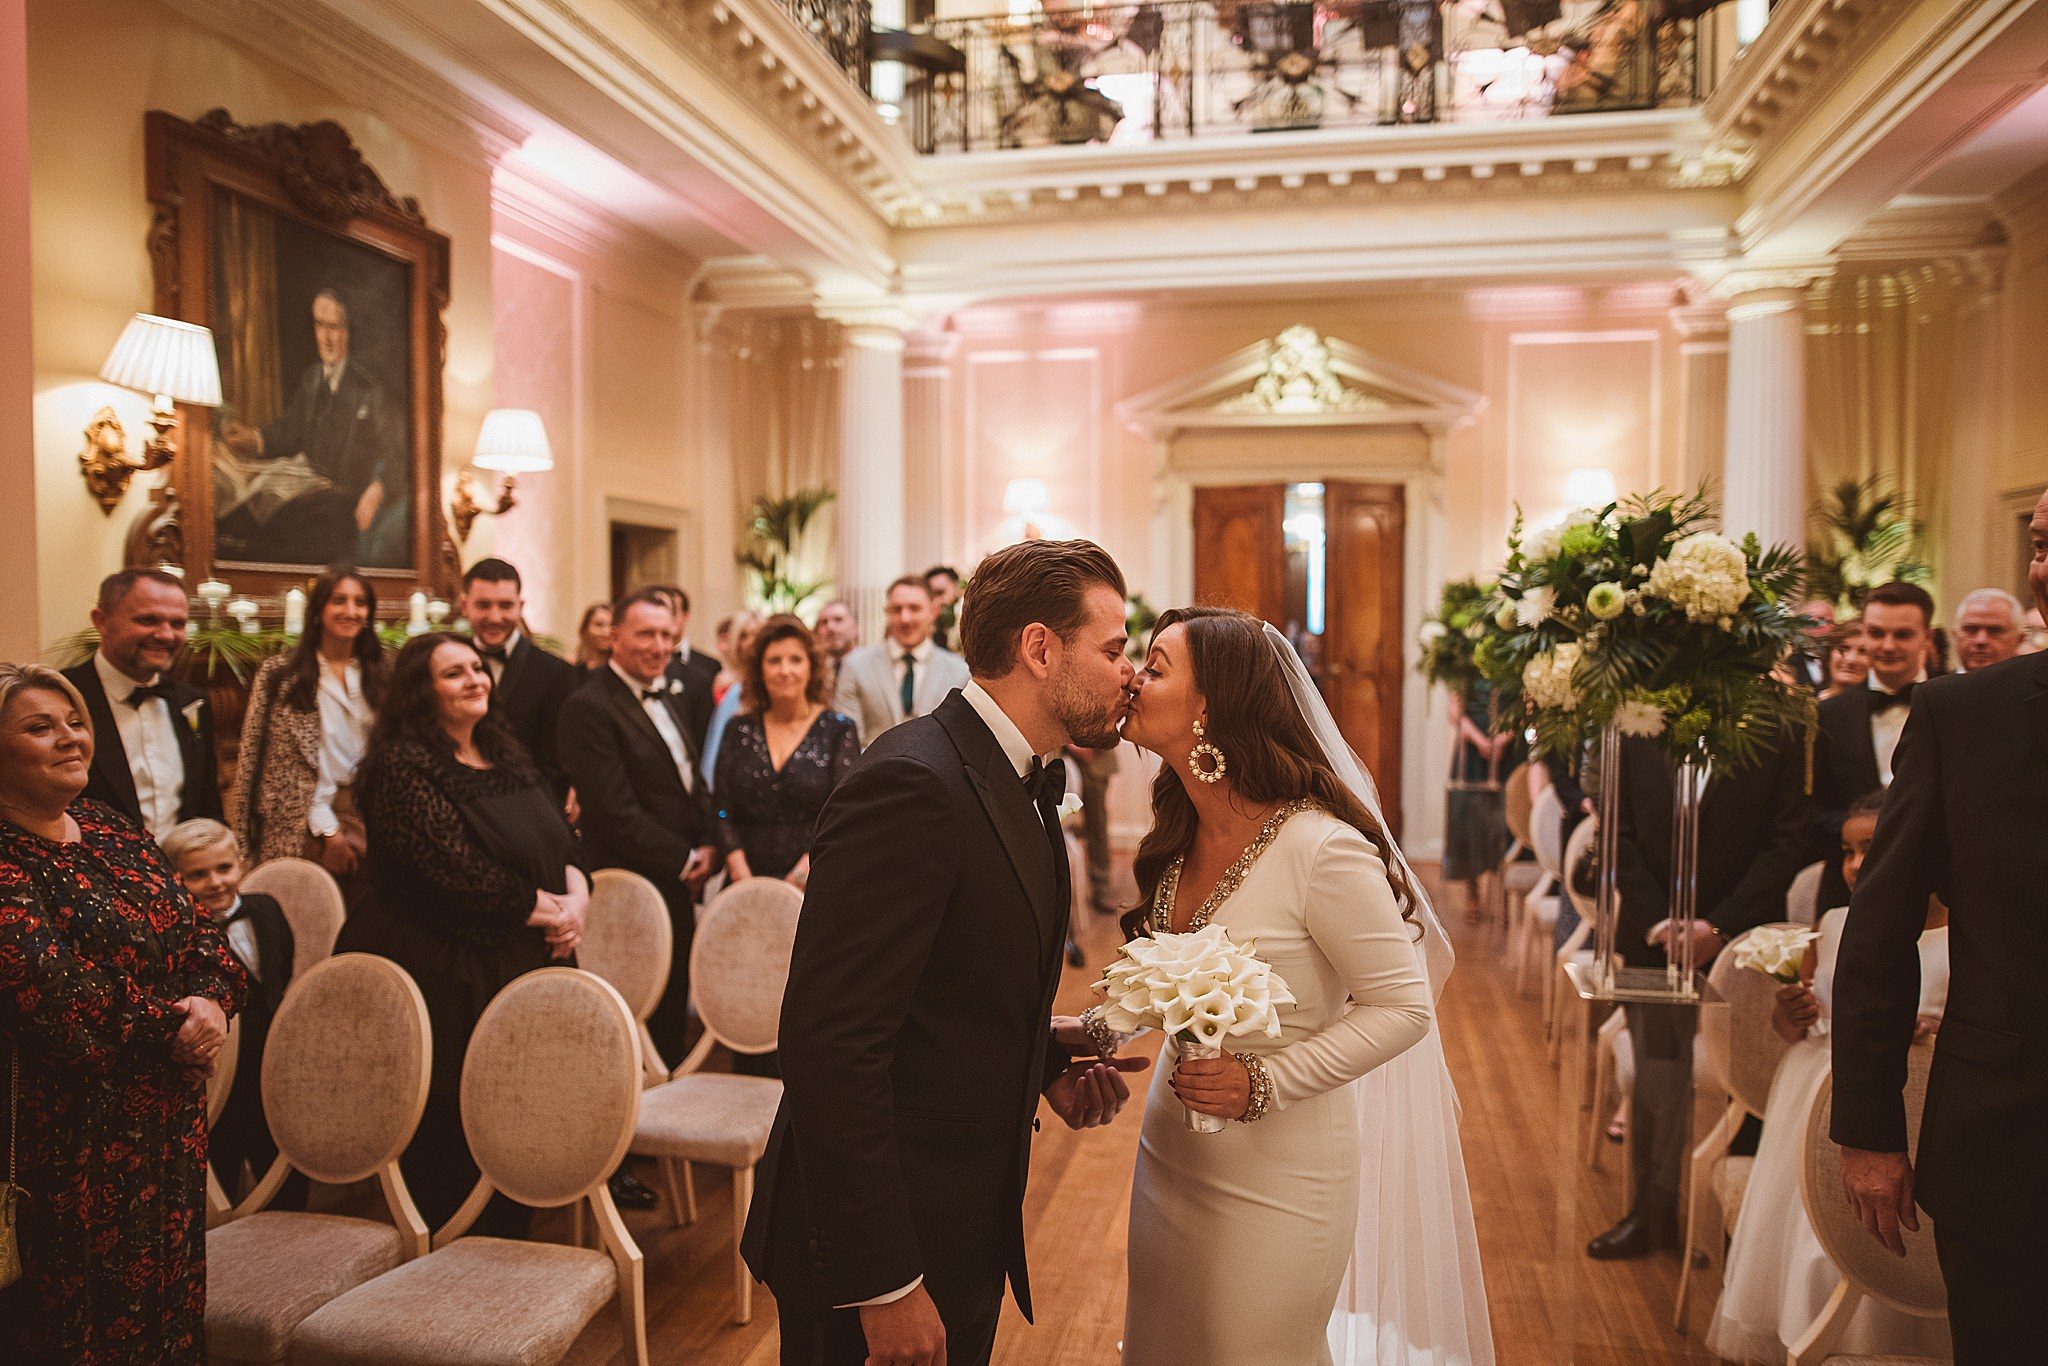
1861	726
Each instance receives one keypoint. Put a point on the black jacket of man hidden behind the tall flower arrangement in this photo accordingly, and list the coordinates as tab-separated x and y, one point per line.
1754	839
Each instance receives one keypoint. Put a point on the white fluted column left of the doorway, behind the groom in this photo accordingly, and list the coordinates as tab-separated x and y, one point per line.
871	464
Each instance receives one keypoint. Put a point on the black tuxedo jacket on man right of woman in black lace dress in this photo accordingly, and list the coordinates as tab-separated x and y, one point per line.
636	814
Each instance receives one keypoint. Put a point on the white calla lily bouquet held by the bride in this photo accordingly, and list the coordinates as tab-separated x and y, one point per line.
1199	988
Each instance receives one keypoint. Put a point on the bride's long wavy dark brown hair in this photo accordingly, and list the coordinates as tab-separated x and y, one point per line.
1273	755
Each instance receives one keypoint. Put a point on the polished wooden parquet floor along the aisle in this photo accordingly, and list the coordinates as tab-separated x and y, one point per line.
1549	1308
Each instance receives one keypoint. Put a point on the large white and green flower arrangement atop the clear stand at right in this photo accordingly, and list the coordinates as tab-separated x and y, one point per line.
1646	617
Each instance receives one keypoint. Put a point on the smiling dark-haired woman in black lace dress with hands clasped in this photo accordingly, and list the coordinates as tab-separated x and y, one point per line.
478	882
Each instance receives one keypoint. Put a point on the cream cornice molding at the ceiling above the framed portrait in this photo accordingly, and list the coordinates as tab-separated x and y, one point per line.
361	69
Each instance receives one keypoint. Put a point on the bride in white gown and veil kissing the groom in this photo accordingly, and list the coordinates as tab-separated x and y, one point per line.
1332	1220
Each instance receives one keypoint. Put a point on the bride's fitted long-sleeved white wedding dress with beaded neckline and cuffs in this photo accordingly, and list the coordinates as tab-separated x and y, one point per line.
1240	1240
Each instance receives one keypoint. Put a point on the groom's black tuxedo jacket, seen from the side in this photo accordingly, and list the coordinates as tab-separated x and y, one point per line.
914	1035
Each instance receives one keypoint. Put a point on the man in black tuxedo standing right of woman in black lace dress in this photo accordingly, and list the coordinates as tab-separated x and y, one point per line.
630	757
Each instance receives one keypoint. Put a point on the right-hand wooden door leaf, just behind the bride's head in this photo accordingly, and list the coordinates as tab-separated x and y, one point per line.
1367	525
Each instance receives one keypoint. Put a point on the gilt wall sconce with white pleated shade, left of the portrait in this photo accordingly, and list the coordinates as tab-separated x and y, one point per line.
173	364
